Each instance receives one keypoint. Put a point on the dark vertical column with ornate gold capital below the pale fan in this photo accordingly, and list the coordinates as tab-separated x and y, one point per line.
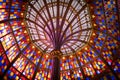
55	72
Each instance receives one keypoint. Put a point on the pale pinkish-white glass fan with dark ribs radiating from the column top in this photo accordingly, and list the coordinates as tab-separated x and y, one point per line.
59	26
